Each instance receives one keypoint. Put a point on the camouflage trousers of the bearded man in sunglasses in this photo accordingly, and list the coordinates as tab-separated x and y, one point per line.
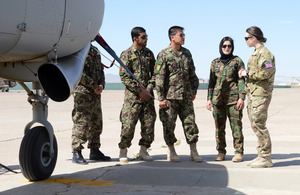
133	111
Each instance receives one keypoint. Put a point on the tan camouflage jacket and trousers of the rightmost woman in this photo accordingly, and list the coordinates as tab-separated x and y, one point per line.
260	81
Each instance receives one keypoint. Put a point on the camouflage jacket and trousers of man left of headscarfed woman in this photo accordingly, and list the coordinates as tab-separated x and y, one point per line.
177	82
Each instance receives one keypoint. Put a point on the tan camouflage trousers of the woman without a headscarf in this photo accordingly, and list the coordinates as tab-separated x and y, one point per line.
258	113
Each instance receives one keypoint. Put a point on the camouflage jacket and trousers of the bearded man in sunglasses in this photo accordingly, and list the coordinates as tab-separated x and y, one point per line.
141	64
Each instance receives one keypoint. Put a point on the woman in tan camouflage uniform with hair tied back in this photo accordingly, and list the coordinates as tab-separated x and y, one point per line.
260	75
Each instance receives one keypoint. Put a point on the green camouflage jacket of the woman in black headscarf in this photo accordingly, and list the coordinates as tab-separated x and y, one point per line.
225	87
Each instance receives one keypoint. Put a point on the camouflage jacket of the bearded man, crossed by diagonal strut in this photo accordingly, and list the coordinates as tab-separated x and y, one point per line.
141	64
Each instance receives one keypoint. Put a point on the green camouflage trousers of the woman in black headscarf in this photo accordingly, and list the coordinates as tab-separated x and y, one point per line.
220	114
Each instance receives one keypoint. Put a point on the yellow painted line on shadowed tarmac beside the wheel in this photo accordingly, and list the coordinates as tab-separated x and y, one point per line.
69	181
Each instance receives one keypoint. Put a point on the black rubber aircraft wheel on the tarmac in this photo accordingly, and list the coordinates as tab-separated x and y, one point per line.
35	160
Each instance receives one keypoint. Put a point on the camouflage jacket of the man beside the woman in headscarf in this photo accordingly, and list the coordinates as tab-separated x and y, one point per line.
175	74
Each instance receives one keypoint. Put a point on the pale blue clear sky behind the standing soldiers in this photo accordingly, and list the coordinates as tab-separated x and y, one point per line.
206	22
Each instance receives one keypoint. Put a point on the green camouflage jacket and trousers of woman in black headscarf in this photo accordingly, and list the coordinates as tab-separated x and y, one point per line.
224	89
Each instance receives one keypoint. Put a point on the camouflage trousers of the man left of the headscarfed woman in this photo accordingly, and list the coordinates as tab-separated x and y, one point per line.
168	117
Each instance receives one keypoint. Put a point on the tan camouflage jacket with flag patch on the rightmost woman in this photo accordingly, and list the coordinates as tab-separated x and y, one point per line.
261	72
